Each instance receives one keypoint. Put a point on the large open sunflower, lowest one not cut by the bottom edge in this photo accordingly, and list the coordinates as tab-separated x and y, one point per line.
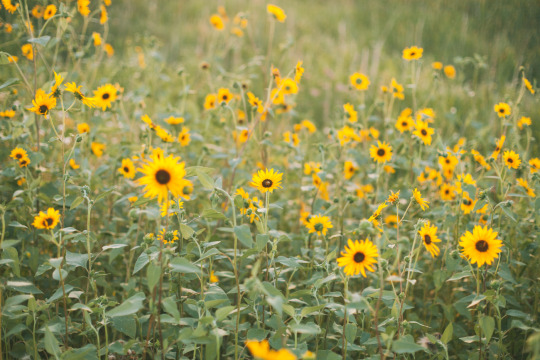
358	257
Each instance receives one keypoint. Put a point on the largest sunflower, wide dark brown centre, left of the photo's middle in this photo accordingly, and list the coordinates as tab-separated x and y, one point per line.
161	175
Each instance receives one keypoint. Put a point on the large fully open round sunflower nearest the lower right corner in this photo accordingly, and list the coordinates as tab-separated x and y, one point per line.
481	246
